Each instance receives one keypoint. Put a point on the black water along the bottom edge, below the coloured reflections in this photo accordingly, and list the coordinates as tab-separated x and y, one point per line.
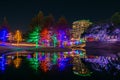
21	74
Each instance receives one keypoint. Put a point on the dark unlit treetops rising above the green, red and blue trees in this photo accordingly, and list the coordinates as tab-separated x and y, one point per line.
48	22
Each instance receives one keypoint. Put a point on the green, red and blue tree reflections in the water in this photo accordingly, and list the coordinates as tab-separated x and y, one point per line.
48	60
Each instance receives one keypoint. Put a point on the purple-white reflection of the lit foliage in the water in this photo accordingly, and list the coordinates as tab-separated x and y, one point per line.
102	63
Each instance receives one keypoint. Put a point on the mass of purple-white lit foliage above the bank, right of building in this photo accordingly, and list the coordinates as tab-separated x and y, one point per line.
103	33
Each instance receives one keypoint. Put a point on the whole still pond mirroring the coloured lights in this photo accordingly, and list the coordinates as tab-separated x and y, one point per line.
89	64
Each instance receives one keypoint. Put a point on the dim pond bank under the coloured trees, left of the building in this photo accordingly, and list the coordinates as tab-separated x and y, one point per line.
33	49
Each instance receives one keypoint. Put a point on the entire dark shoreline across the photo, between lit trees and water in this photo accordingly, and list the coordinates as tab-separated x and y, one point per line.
89	45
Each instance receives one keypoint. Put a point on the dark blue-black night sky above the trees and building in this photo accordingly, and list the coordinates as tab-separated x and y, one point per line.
20	12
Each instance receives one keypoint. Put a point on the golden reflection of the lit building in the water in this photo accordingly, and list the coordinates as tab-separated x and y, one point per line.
78	67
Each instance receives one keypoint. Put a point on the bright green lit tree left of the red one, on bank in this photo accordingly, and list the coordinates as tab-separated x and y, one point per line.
35	36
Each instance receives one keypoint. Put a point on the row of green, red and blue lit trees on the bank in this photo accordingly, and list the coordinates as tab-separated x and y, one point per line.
48	38
